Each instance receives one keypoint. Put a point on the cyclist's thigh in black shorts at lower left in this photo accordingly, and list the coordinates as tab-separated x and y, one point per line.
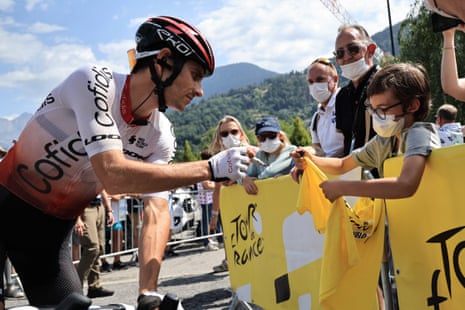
39	248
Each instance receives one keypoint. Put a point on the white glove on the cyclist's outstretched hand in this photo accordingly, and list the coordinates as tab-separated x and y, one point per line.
230	164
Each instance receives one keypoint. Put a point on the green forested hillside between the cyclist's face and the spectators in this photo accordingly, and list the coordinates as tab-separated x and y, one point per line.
285	97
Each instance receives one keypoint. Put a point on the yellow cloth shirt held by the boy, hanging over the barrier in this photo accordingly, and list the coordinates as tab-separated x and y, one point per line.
350	265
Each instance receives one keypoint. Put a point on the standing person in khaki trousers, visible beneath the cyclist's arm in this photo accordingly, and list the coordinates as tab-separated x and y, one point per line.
90	227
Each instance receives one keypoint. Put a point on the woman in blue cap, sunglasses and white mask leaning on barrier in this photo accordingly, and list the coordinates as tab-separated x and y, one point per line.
273	155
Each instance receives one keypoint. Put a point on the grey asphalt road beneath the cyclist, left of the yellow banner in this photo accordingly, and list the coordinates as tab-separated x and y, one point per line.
189	275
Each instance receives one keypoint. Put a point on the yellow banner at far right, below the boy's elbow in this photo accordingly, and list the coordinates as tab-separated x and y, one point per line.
427	234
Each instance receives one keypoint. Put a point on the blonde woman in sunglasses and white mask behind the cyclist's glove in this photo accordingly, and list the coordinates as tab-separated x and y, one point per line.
228	134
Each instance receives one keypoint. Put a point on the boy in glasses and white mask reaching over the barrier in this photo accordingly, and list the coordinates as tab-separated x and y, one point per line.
400	101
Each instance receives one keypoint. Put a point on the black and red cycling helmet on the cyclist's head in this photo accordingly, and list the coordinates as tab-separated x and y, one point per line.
184	40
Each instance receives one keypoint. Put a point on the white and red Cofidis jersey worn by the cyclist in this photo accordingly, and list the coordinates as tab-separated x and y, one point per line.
88	113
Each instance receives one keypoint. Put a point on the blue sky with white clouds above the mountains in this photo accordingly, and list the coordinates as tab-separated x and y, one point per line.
42	41
